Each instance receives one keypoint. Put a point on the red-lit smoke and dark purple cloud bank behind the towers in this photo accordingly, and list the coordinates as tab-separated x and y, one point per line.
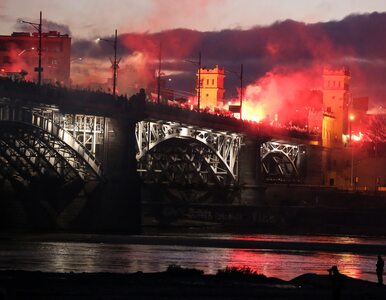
288	55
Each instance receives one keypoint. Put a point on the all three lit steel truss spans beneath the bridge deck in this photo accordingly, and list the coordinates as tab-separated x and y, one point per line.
42	142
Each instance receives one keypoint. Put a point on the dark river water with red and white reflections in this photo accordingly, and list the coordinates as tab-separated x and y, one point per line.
270	255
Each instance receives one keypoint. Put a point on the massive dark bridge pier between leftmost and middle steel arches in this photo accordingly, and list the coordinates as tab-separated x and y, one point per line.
116	205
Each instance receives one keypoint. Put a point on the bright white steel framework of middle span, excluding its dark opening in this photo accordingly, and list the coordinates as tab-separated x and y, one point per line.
219	150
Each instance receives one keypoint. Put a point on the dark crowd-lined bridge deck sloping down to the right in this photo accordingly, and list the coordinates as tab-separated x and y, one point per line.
77	101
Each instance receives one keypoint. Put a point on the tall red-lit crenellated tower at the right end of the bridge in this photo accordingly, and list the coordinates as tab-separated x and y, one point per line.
335	104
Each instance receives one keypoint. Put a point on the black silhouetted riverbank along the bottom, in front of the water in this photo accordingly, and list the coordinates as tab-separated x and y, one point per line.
177	285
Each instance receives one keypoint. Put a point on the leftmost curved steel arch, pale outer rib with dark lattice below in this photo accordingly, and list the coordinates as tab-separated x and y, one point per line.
33	152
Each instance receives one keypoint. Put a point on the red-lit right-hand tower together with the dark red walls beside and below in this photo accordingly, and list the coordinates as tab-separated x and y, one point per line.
347	163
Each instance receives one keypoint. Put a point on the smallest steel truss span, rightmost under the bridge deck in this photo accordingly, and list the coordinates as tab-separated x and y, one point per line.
279	161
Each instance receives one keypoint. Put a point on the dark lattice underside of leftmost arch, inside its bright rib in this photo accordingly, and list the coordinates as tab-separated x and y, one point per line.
29	154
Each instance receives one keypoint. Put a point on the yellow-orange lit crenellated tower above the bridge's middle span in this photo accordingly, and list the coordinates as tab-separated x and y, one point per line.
211	87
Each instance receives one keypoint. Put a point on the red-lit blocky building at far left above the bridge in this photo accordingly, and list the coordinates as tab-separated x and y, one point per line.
19	56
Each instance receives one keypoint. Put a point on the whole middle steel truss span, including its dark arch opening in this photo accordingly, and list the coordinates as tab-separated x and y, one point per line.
177	153
